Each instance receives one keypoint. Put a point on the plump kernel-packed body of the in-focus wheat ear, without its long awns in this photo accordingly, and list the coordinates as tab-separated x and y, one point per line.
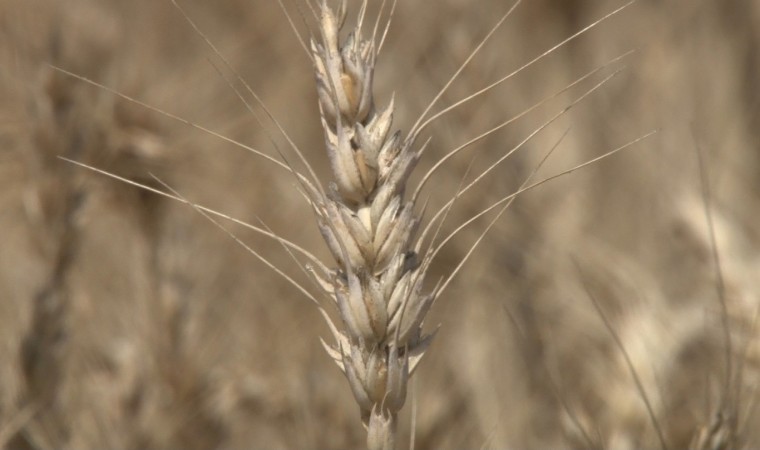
369	229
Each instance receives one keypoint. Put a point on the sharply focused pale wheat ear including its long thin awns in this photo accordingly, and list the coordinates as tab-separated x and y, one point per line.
377	277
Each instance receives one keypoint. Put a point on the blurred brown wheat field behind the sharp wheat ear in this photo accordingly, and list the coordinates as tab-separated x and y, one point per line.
612	307
